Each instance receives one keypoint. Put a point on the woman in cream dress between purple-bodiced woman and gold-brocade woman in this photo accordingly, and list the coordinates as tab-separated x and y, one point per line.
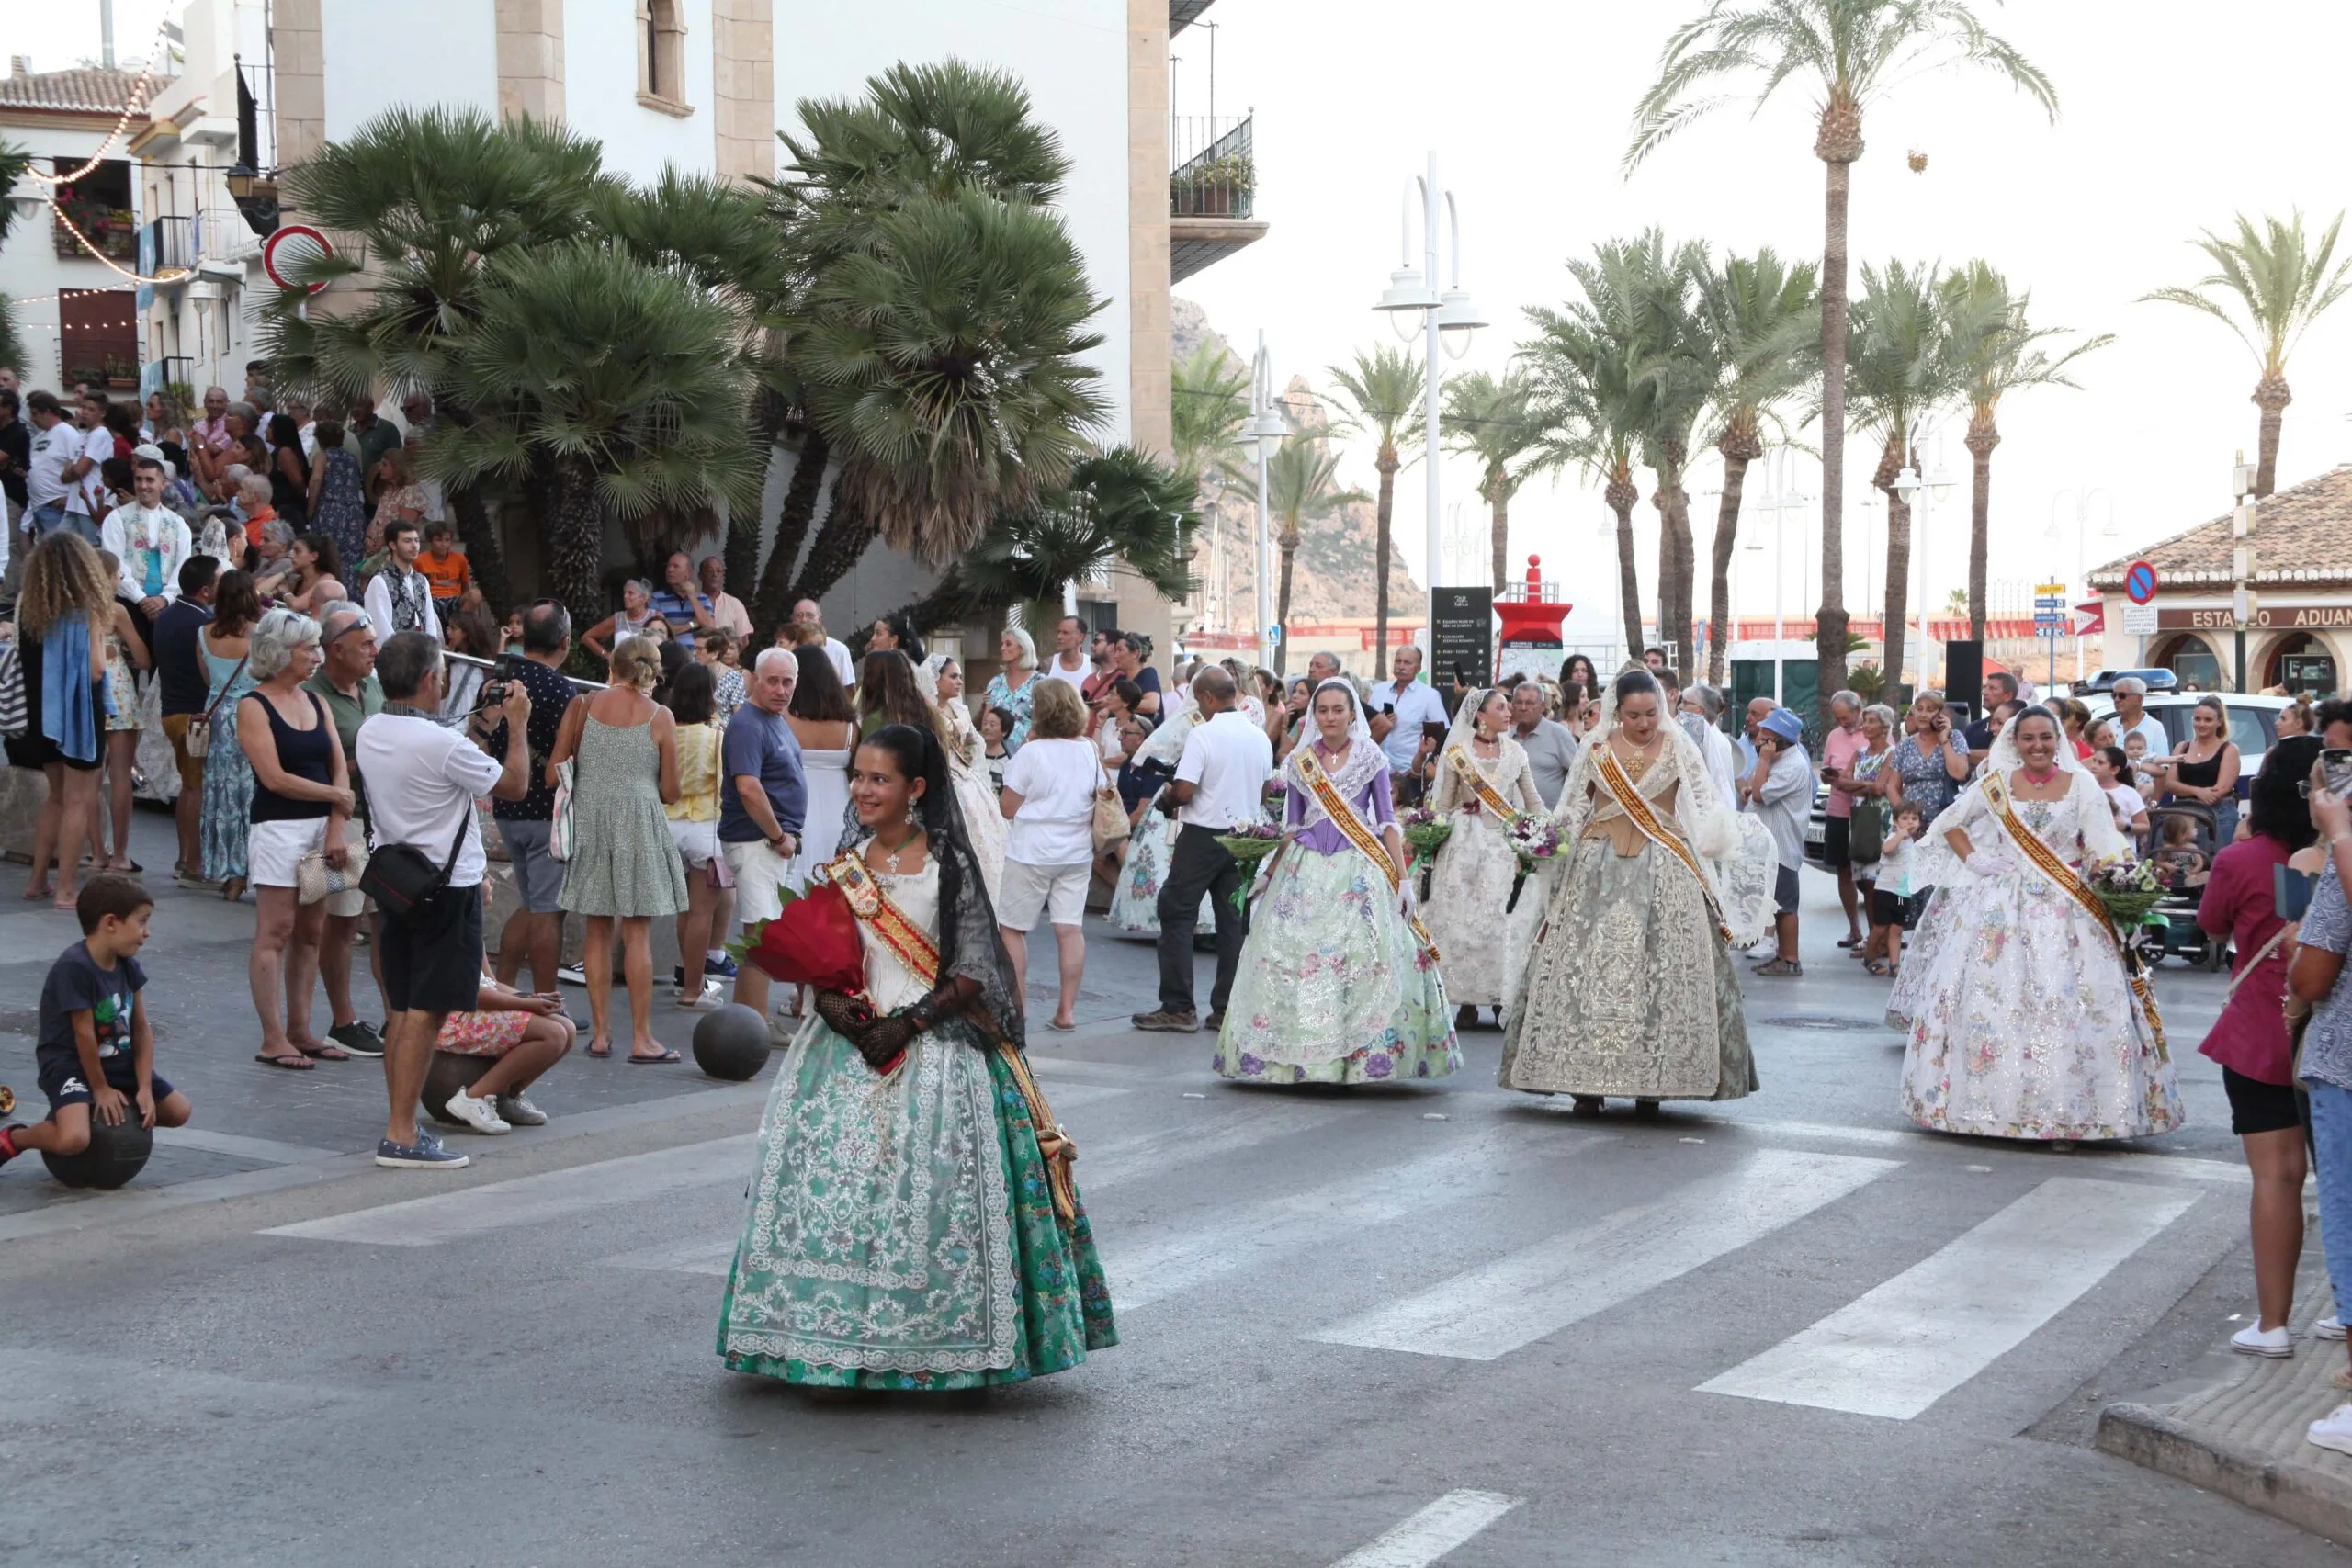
1483	786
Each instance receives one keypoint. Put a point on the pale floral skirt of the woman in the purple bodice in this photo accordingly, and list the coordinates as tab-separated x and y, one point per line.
1332	984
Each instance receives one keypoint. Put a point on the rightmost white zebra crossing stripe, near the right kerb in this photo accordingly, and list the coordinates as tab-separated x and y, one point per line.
1942	1322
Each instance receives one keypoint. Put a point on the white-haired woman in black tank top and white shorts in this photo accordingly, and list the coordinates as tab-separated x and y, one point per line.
302	810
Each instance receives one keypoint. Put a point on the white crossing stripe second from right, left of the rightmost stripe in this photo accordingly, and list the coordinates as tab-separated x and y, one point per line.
1537	1292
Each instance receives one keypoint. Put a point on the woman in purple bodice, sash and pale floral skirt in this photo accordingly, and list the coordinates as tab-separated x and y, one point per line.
1337	986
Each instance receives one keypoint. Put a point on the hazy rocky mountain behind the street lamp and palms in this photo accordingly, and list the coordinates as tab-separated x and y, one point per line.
1332	575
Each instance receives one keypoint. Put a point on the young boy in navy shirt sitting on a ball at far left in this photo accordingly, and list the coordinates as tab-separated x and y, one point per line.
98	1052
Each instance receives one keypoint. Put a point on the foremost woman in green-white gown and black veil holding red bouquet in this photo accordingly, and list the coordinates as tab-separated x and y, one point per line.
914	1224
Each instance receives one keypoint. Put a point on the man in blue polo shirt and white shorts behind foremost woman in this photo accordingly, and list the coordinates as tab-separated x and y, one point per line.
763	805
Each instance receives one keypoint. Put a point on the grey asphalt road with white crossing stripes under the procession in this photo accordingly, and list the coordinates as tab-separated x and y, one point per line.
1384	1327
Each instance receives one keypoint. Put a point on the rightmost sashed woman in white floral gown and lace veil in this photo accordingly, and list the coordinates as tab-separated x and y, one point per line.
2022	1005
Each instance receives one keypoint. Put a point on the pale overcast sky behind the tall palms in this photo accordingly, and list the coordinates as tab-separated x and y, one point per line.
2174	119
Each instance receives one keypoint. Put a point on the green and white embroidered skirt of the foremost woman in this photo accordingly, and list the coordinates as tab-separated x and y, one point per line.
902	1233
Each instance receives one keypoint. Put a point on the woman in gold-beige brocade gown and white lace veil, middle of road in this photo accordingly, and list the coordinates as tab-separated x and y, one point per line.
1629	989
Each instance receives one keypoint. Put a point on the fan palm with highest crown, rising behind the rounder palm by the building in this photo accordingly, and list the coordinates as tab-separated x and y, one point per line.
918	133
